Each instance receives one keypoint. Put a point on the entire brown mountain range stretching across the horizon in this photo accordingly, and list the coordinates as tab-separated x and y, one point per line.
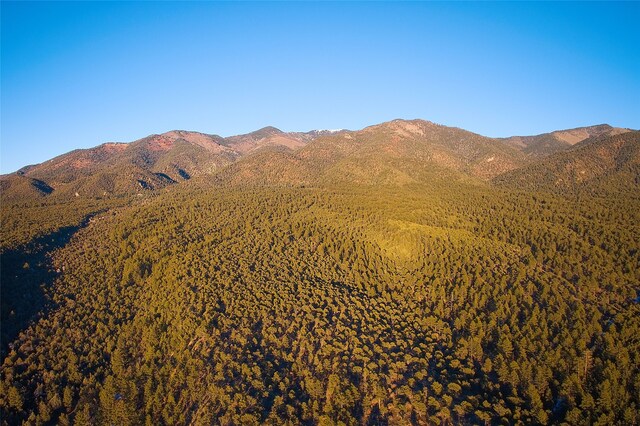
394	152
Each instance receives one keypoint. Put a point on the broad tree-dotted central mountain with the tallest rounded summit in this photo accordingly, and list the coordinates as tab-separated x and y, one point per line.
396	152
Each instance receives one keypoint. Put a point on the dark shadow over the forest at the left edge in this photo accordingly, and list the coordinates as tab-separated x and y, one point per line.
25	273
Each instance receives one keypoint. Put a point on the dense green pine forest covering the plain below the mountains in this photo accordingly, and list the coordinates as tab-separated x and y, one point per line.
423	300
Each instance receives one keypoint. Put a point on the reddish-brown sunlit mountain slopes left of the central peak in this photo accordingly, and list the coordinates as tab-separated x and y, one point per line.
148	164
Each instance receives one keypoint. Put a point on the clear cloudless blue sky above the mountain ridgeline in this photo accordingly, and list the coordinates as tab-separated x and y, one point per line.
77	74
